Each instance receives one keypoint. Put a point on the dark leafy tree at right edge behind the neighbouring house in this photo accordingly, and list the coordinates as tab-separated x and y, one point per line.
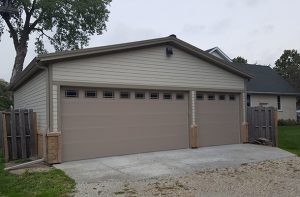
288	66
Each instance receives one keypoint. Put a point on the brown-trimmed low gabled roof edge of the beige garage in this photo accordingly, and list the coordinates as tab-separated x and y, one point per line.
47	59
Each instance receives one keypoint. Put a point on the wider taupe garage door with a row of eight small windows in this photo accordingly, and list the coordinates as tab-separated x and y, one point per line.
99	123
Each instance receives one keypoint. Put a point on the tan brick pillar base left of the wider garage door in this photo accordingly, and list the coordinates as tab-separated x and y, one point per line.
54	147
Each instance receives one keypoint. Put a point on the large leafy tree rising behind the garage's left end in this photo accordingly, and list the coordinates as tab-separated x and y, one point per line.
67	24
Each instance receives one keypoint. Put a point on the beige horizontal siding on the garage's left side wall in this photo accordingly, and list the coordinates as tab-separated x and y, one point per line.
32	95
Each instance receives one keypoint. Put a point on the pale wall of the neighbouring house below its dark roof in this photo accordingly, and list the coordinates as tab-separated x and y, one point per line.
288	104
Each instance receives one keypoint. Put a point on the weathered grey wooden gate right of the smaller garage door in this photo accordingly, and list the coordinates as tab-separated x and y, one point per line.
262	124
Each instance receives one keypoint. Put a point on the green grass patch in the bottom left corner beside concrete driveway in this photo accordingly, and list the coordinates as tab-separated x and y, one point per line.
45	184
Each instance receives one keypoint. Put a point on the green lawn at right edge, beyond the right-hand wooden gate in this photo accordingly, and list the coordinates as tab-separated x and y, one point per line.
289	139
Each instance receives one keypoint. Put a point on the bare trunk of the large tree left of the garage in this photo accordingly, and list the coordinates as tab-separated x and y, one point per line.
21	52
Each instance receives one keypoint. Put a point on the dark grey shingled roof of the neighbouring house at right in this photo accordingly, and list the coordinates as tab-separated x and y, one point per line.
266	80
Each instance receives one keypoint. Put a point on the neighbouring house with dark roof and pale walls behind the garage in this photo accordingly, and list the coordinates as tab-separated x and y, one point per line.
267	88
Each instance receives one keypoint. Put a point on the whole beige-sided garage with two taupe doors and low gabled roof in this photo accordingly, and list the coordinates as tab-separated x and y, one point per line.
134	97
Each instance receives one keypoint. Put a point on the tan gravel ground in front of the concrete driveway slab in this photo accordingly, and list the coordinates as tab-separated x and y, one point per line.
267	178
